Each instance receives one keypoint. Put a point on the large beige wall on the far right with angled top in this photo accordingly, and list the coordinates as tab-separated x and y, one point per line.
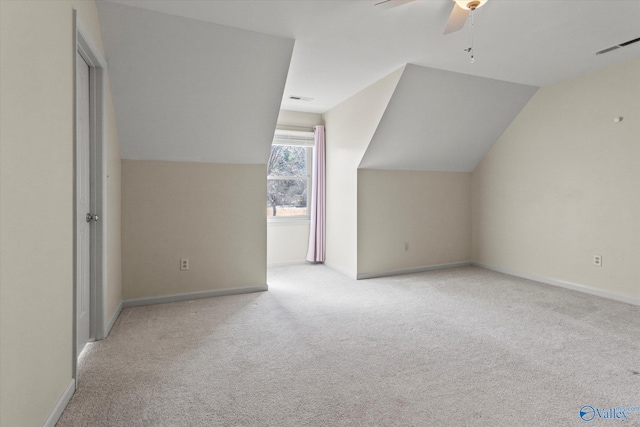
562	184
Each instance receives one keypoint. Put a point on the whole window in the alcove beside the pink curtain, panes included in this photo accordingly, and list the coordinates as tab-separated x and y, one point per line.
289	175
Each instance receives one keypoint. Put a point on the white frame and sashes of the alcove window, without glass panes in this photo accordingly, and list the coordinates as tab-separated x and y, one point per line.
303	139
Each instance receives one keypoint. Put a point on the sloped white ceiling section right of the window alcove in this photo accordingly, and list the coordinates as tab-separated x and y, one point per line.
439	120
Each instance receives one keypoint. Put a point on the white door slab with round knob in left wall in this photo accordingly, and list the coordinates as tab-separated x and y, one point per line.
83	205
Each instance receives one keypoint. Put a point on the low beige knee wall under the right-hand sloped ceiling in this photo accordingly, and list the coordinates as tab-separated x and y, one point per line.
430	211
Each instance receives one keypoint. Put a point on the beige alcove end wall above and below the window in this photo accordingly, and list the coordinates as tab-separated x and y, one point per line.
287	242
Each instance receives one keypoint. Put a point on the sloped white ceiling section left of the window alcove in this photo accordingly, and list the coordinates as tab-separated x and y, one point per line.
188	90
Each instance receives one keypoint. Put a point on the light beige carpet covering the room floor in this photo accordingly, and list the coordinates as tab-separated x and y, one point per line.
457	347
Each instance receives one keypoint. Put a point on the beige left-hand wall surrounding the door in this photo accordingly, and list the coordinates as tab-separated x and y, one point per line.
36	193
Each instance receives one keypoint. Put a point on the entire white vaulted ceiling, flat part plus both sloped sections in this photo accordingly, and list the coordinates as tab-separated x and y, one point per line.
204	80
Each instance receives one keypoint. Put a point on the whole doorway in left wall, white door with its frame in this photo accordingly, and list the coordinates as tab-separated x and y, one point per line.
89	194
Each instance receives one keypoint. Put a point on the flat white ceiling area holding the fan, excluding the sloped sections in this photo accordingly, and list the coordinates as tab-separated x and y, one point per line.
344	46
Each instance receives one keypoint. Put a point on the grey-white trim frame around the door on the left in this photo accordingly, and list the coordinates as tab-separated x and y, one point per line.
84	44
